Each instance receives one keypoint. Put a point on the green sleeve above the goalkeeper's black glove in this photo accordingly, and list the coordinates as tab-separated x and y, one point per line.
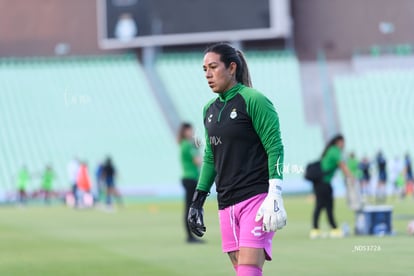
208	172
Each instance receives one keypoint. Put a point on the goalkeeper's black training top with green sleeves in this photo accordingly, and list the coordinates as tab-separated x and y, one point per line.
243	145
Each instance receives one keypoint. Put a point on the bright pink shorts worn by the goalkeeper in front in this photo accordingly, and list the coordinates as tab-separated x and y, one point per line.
239	228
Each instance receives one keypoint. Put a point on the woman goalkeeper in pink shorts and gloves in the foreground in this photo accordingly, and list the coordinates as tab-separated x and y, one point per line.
244	157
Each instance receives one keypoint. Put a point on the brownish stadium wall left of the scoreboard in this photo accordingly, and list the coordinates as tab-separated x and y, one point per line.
36	27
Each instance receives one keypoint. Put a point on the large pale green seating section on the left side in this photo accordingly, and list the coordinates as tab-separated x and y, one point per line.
53	109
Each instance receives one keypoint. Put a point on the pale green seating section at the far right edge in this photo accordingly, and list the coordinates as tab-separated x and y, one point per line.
376	111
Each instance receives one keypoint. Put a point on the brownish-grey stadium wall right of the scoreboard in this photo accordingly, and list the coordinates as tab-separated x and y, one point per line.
341	26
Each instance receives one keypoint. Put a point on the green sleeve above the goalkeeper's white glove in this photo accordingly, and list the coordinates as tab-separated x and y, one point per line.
266	123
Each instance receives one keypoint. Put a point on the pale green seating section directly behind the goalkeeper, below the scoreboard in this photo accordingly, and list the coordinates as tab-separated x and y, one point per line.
274	73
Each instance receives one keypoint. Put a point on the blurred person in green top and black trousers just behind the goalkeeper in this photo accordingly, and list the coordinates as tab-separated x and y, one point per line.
190	163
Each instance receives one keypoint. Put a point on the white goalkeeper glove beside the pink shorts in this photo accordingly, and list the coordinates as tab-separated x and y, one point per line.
272	210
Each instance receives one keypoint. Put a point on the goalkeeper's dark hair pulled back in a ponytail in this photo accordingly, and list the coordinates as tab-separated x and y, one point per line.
229	54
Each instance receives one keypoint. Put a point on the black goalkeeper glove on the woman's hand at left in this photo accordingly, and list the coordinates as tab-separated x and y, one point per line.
196	213
